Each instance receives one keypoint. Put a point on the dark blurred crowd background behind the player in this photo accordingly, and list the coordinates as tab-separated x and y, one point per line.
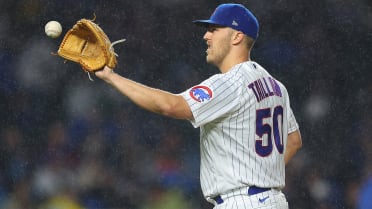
69	143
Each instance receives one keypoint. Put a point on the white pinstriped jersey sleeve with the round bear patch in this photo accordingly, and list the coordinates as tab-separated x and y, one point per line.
212	99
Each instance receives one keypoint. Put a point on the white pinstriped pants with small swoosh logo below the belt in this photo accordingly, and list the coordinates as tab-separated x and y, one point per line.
272	199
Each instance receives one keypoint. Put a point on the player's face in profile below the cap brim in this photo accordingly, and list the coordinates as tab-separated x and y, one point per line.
218	40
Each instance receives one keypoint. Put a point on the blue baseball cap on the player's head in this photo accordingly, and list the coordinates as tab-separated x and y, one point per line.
235	16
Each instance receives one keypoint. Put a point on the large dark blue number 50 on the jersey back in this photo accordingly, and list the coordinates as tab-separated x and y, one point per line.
274	125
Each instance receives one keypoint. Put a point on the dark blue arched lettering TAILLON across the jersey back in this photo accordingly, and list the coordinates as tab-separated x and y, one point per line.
265	87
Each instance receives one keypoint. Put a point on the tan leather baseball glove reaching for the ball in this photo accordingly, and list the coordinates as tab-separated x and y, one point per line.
87	44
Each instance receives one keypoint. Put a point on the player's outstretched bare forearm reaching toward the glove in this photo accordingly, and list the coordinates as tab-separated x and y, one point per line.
151	99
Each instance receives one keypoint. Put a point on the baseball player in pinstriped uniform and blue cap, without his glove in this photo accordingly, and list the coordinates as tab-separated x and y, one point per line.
247	129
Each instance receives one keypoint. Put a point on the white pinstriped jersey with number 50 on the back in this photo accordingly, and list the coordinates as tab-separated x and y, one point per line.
244	117
